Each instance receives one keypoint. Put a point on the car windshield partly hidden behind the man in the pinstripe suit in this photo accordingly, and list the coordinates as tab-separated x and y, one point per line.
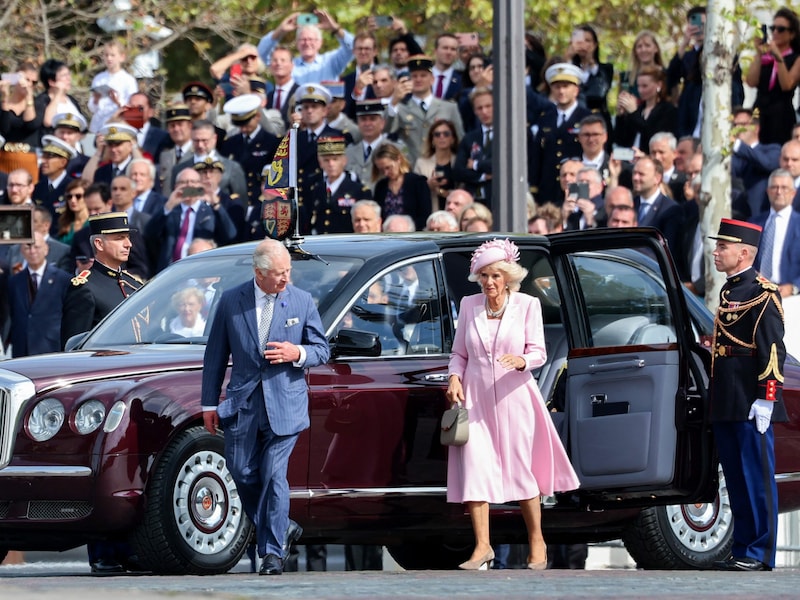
178	306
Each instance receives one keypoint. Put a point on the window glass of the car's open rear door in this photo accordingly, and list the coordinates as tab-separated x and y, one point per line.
625	303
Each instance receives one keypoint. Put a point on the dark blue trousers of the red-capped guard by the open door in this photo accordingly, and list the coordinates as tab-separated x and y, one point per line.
748	461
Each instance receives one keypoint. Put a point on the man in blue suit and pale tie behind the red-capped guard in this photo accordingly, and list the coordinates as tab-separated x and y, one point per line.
778	257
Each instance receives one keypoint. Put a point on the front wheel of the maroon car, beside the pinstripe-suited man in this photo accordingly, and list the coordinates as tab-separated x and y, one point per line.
194	522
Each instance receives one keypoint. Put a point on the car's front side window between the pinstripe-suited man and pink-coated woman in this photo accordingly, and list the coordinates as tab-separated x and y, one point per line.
402	307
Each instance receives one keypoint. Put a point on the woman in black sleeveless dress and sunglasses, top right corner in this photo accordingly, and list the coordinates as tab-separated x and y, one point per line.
775	73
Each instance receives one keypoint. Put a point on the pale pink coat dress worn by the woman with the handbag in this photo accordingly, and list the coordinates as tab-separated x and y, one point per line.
513	452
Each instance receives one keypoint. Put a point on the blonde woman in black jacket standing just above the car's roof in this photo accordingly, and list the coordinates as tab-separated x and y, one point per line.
399	191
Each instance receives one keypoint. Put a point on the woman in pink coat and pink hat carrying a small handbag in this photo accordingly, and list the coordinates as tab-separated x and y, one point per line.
513	452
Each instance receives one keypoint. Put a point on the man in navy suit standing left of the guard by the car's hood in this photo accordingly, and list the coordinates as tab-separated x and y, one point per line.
36	296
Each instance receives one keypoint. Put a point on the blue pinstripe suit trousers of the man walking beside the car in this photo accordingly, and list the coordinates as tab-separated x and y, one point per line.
258	460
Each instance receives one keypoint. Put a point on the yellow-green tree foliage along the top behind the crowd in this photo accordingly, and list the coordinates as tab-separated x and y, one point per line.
203	30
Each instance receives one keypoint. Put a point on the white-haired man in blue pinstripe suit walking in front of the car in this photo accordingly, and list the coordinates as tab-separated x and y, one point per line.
272	331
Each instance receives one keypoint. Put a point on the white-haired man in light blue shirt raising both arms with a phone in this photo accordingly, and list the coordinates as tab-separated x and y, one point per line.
311	66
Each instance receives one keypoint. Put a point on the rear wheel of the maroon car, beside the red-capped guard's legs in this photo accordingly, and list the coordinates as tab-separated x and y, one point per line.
685	536
